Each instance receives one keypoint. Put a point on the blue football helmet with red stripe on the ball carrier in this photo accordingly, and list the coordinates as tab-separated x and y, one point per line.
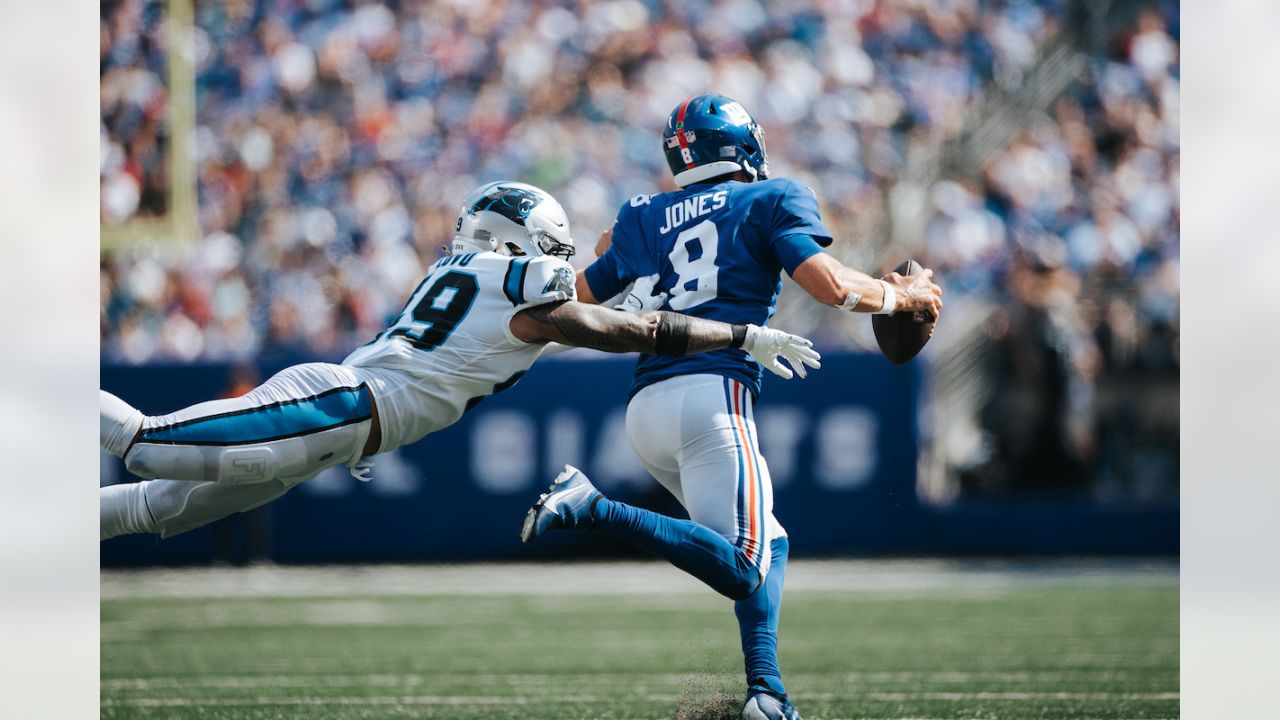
708	136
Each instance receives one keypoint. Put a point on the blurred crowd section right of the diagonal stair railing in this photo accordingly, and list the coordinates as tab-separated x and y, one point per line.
1084	202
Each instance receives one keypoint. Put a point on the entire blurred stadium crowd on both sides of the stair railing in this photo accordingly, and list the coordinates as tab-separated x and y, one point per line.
336	139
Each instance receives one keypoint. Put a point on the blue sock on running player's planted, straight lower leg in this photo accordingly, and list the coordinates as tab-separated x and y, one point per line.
758	622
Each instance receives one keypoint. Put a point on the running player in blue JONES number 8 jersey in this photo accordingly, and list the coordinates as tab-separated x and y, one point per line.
716	249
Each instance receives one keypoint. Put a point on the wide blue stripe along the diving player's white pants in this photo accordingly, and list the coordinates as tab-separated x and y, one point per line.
278	421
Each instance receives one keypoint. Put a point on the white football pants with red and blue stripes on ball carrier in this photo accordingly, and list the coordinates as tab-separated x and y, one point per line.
697	436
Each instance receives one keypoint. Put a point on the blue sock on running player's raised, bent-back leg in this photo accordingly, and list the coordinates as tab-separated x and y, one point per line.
687	545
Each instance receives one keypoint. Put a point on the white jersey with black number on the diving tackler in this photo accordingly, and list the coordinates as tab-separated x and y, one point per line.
452	344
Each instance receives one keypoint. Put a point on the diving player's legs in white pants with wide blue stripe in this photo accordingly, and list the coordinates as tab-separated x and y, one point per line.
226	457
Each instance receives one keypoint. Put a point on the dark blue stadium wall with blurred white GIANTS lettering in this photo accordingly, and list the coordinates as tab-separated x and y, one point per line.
842	448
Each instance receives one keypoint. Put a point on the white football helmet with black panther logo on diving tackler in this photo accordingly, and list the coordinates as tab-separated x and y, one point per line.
513	218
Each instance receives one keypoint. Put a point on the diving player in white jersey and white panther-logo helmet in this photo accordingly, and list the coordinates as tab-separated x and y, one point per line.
478	321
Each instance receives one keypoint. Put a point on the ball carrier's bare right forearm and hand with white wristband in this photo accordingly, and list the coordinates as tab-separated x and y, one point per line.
833	284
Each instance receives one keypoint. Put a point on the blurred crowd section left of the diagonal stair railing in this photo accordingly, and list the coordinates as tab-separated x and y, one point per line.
335	139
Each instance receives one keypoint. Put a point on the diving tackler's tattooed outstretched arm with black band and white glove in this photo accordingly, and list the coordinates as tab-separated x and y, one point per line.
659	334
